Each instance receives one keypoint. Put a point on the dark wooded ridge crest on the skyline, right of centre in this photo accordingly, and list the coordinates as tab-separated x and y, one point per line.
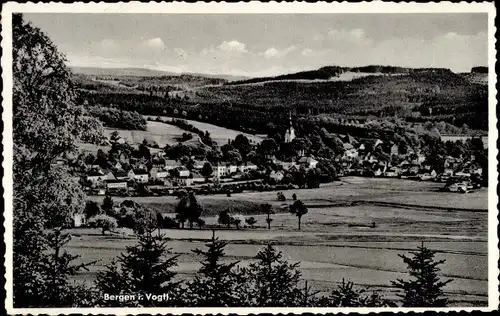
332	72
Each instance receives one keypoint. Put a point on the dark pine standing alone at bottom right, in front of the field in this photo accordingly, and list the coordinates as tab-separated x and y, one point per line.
425	289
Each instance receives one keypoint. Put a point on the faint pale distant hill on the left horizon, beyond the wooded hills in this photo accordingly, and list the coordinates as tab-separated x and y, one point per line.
145	72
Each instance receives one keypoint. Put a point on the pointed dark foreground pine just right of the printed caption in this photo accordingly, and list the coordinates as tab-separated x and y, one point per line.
217	284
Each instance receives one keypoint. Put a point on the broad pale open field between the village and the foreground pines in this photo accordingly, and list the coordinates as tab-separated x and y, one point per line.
337	240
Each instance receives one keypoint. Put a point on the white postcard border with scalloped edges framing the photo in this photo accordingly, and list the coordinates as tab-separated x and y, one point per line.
253	7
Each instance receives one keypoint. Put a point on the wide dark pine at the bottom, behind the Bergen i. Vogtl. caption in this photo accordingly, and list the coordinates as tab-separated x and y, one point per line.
142	270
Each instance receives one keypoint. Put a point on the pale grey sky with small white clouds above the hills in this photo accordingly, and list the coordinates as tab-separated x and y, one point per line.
257	45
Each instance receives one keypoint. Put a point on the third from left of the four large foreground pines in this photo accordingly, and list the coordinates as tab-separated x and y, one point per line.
274	282
